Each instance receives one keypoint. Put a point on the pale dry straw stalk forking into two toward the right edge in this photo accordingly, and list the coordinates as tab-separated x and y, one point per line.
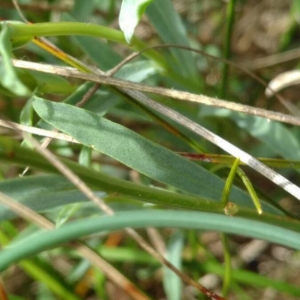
132	89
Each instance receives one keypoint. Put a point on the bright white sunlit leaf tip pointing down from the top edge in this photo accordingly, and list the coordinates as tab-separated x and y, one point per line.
130	15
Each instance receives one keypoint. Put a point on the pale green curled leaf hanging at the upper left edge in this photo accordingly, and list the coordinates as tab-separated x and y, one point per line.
9	78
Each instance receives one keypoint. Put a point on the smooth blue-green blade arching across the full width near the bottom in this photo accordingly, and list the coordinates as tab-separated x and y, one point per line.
140	219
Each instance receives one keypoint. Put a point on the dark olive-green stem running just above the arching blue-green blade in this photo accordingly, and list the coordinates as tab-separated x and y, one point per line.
11	152
